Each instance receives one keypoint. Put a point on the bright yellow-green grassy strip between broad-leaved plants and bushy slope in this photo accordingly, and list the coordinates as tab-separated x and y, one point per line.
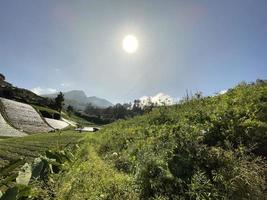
93	178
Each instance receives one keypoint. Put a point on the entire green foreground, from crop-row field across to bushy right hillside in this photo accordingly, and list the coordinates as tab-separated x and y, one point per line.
203	148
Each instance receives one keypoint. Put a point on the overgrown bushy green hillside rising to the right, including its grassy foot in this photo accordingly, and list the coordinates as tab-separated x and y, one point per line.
209	148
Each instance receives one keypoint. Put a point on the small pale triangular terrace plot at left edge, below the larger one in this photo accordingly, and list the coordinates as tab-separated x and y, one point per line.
7	131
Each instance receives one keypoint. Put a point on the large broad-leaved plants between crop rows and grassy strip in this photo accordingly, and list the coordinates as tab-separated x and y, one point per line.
42	170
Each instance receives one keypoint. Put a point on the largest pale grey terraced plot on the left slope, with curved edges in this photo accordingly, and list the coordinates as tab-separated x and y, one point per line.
24	117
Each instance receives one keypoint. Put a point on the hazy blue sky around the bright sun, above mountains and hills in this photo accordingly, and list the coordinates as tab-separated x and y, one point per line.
208	45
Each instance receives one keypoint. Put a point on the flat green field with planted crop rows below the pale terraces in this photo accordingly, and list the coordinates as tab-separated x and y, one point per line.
15	152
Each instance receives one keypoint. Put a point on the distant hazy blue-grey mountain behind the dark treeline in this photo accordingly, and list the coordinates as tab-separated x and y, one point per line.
79	100
